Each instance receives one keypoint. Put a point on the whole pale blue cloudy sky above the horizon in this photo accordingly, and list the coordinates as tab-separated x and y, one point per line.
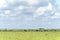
29	14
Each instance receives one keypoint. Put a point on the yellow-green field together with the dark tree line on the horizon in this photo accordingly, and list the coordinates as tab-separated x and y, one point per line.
30	34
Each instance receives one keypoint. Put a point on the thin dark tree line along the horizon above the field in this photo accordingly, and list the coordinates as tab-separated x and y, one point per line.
37	30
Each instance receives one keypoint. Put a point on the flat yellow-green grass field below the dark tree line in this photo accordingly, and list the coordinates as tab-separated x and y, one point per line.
30	35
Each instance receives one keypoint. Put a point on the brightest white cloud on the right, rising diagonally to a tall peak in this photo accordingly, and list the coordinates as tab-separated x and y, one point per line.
41	10
